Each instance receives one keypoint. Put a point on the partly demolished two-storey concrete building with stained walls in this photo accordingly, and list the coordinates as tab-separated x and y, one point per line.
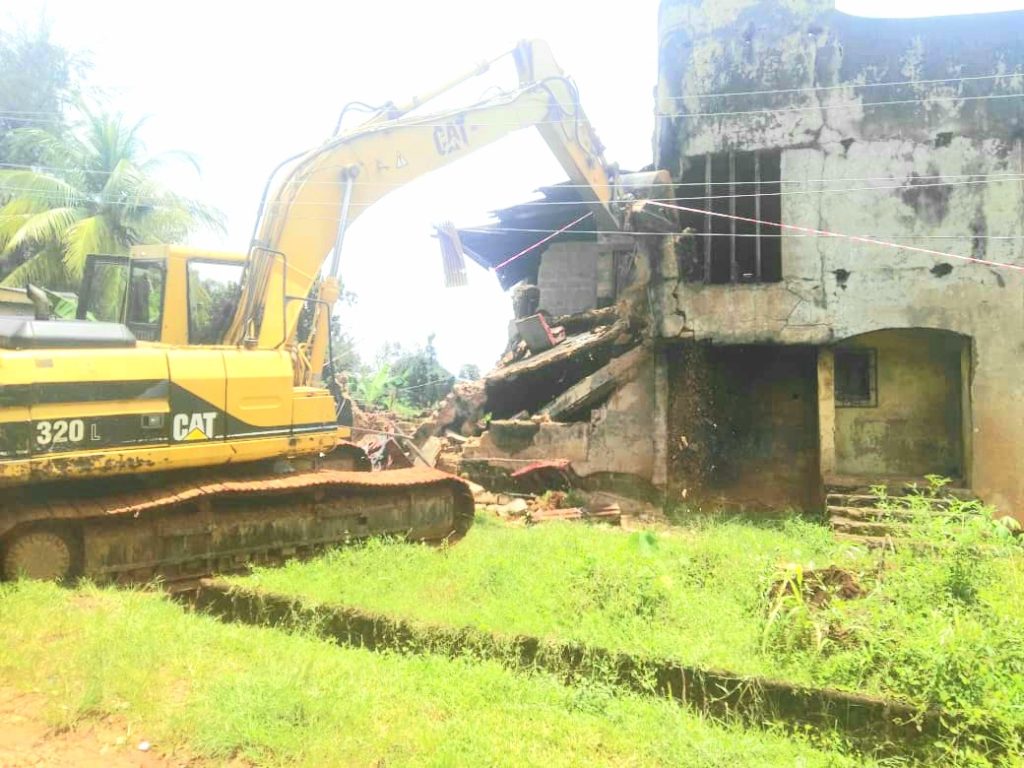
757	367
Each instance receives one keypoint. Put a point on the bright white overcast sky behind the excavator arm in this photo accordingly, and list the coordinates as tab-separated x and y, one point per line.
245	86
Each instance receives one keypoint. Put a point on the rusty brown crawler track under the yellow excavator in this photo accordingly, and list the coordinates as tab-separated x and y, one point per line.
187	529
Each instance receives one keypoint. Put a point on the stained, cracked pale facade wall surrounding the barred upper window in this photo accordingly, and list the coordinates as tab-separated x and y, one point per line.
938	166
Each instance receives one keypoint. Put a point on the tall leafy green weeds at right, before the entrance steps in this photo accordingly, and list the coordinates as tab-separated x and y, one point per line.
940	624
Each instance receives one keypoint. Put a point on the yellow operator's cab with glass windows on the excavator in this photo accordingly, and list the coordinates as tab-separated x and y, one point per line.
164	294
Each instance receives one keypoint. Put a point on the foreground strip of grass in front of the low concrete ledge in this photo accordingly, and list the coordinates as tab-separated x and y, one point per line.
275	699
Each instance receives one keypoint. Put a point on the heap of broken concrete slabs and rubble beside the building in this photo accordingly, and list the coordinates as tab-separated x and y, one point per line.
525	430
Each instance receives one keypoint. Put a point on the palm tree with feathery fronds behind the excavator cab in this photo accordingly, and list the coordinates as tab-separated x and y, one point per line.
88	191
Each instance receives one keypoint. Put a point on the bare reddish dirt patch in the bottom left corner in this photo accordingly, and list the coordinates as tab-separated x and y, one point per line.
27	741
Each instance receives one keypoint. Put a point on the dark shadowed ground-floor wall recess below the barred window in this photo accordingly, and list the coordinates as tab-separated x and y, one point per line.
744	420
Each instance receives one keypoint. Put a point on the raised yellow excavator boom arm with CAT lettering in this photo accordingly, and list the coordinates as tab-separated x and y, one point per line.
333	185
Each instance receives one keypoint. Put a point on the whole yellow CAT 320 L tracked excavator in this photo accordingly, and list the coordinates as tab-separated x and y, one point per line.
183	425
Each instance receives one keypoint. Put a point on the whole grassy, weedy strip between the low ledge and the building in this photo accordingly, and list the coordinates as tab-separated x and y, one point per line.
940	628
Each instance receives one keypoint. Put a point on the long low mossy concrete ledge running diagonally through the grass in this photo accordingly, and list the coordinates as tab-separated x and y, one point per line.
871	722
